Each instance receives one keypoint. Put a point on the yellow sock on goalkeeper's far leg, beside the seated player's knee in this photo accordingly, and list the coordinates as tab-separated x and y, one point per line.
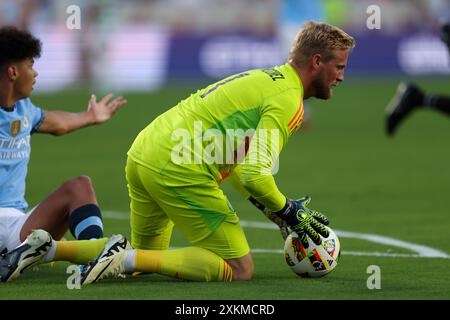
79	251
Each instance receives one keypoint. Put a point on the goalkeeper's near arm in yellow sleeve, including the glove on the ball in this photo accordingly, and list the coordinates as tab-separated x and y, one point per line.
257	179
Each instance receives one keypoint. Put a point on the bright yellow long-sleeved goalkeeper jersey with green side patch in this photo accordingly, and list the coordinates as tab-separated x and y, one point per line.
237	125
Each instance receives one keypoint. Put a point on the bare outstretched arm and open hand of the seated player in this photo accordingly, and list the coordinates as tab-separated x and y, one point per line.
61	122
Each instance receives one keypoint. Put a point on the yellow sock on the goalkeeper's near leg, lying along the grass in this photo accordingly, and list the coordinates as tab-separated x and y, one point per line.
191	263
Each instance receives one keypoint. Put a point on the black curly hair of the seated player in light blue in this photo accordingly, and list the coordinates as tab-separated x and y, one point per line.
17	45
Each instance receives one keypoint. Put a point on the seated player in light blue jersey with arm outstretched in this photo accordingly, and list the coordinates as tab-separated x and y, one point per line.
73	205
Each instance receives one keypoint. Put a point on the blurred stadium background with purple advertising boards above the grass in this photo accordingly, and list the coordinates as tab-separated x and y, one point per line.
142	45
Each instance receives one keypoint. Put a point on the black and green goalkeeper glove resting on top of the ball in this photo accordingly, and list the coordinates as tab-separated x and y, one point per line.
304	221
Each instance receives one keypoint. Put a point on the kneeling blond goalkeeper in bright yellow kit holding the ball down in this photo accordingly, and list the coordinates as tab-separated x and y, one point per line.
235	129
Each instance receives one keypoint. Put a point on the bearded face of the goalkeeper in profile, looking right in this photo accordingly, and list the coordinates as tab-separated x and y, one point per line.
330	74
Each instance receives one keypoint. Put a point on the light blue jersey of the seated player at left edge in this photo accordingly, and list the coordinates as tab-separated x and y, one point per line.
16	126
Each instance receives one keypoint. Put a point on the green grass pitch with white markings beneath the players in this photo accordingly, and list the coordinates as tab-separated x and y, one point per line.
367	183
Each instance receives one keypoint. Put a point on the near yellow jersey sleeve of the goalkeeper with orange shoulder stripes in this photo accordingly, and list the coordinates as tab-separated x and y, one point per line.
281	116
